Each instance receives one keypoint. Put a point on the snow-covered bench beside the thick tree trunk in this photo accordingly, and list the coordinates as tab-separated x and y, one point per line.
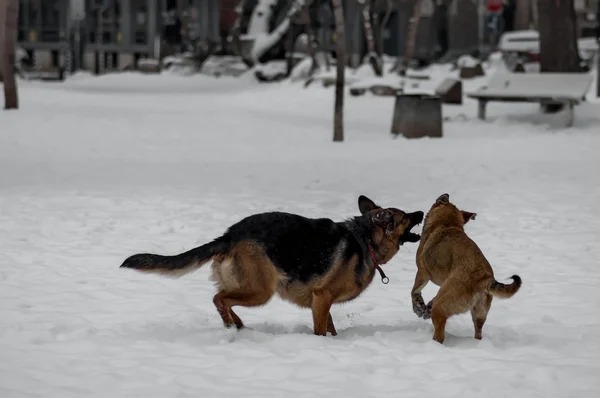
567	88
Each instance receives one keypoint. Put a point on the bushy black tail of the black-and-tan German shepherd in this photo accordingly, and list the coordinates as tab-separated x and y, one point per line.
180	264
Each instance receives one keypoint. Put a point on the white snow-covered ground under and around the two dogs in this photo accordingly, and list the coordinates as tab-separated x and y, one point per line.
96	169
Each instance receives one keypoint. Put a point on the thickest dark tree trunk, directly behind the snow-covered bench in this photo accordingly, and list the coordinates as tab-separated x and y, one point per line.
558	36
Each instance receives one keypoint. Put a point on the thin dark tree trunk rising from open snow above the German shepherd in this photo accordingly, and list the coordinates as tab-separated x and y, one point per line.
340	40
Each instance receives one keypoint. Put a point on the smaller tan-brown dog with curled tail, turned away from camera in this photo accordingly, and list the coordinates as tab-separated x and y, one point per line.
450	259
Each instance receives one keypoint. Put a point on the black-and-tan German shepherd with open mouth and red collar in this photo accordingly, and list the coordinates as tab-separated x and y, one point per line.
312	263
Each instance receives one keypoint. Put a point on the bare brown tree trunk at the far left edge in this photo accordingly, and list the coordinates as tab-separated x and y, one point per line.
11	97
